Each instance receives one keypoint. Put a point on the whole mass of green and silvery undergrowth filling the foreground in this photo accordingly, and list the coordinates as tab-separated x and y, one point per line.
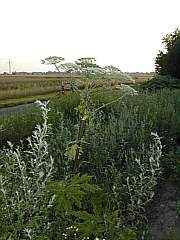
125	147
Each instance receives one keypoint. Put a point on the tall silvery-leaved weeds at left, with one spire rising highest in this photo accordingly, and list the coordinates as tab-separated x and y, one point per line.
23	179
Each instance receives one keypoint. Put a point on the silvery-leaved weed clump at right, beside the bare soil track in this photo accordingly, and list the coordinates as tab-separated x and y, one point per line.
140	181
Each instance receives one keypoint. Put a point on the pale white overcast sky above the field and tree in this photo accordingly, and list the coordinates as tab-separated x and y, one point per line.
123	33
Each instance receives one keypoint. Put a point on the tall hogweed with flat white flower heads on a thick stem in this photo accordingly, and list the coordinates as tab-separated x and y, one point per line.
89	71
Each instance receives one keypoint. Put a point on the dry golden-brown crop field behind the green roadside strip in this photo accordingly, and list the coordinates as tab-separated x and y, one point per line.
14	86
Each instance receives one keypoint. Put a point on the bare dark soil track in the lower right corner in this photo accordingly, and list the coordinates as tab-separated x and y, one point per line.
163	220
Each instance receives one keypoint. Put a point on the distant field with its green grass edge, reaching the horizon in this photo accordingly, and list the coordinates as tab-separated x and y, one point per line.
13	87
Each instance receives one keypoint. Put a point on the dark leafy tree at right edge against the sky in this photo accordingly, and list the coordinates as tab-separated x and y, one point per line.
167	62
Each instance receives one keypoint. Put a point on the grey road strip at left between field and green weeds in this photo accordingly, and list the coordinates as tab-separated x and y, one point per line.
8	110
